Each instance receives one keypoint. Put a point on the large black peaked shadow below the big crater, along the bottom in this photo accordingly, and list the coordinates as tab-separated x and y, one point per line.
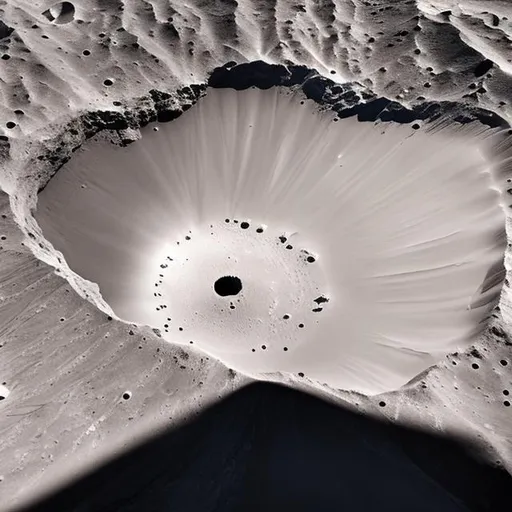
270	448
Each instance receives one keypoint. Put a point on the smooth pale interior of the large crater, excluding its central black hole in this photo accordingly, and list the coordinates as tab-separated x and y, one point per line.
371	250
